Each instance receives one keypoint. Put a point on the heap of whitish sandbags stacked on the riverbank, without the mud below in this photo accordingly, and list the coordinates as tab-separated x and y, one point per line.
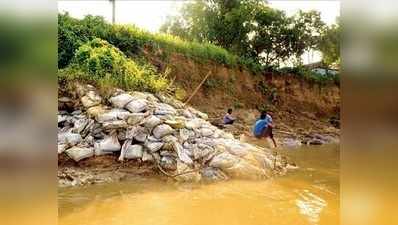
160	130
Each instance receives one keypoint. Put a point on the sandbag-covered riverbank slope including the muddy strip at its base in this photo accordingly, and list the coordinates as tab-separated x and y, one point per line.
107	138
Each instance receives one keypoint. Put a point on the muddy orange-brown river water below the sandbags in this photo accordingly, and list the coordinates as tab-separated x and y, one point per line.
309	195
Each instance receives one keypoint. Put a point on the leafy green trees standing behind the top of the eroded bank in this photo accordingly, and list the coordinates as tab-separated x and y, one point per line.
248	28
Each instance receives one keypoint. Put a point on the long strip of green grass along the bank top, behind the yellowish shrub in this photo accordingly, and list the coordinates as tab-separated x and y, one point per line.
132	41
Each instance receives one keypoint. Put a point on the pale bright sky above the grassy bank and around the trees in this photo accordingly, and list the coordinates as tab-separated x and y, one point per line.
151	14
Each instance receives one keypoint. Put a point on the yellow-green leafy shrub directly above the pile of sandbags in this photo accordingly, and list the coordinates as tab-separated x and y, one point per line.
99	62
